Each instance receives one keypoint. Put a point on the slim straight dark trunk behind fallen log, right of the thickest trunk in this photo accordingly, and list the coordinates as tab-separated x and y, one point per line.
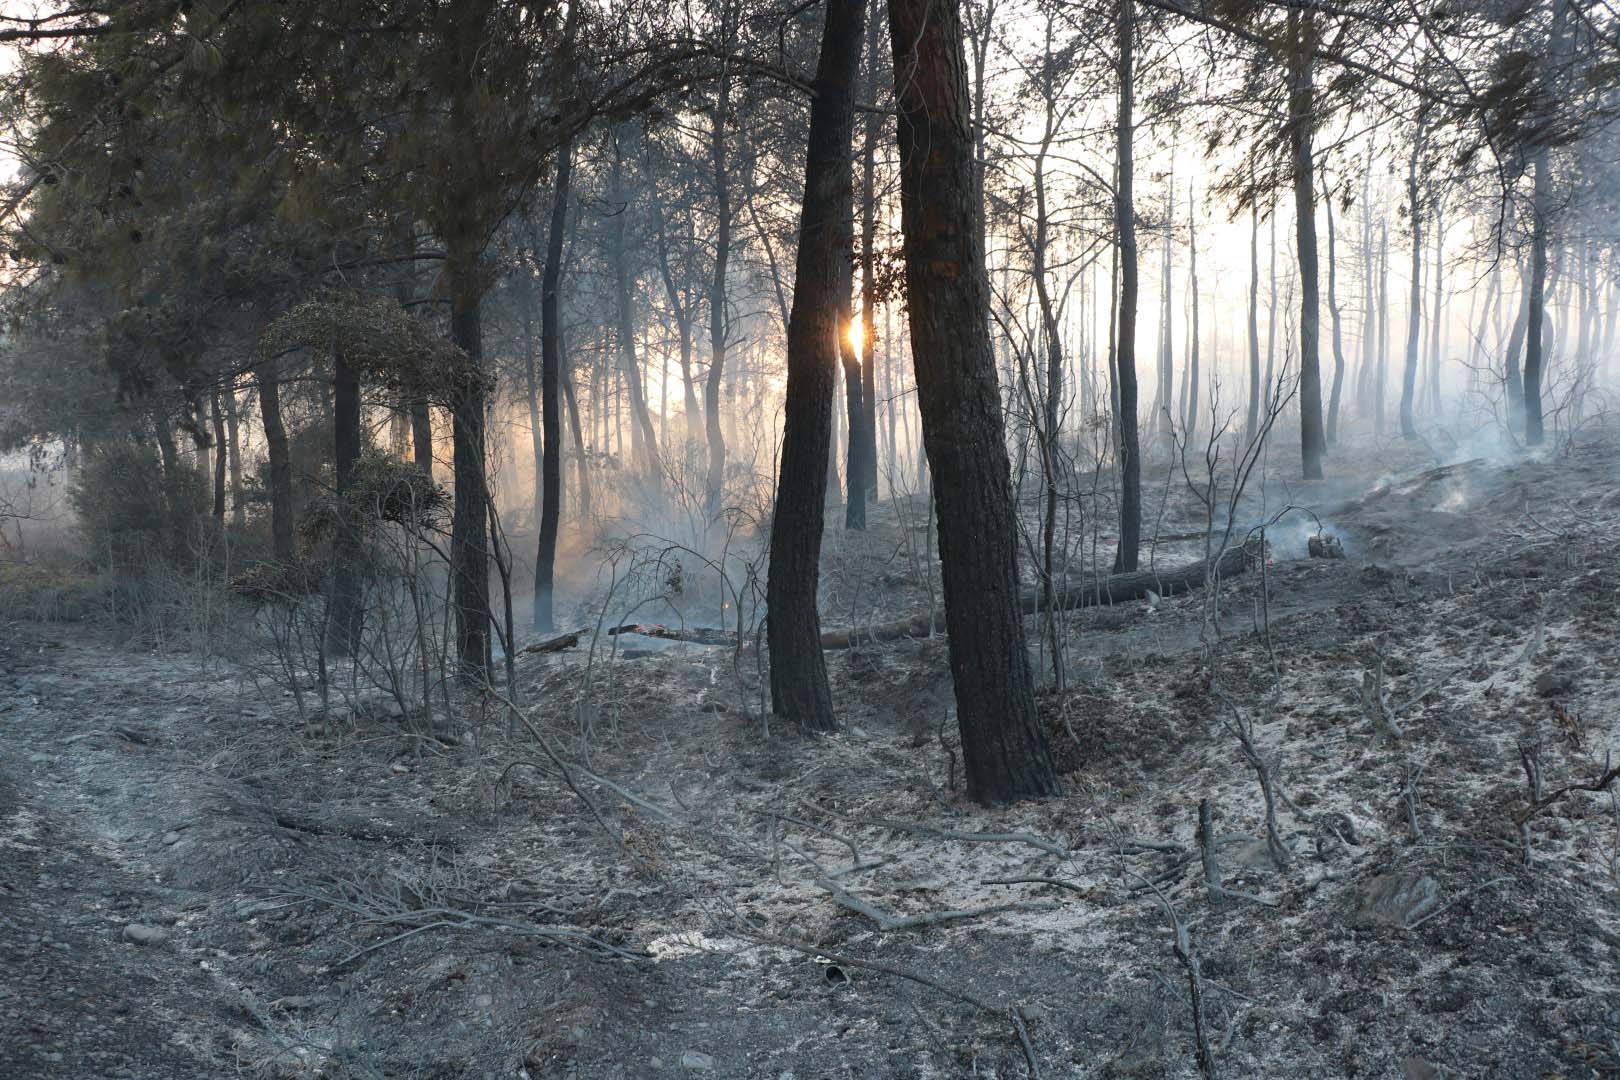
1123	342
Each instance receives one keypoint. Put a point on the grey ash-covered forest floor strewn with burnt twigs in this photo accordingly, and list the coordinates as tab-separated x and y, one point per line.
637	880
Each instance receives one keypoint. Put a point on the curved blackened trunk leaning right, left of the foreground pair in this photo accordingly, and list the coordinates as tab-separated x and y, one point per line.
799	689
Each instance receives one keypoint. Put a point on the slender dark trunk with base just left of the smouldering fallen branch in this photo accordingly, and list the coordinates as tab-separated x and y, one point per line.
550	394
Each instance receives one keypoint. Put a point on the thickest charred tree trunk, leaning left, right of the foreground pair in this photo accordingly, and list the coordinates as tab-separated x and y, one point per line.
1004	742
